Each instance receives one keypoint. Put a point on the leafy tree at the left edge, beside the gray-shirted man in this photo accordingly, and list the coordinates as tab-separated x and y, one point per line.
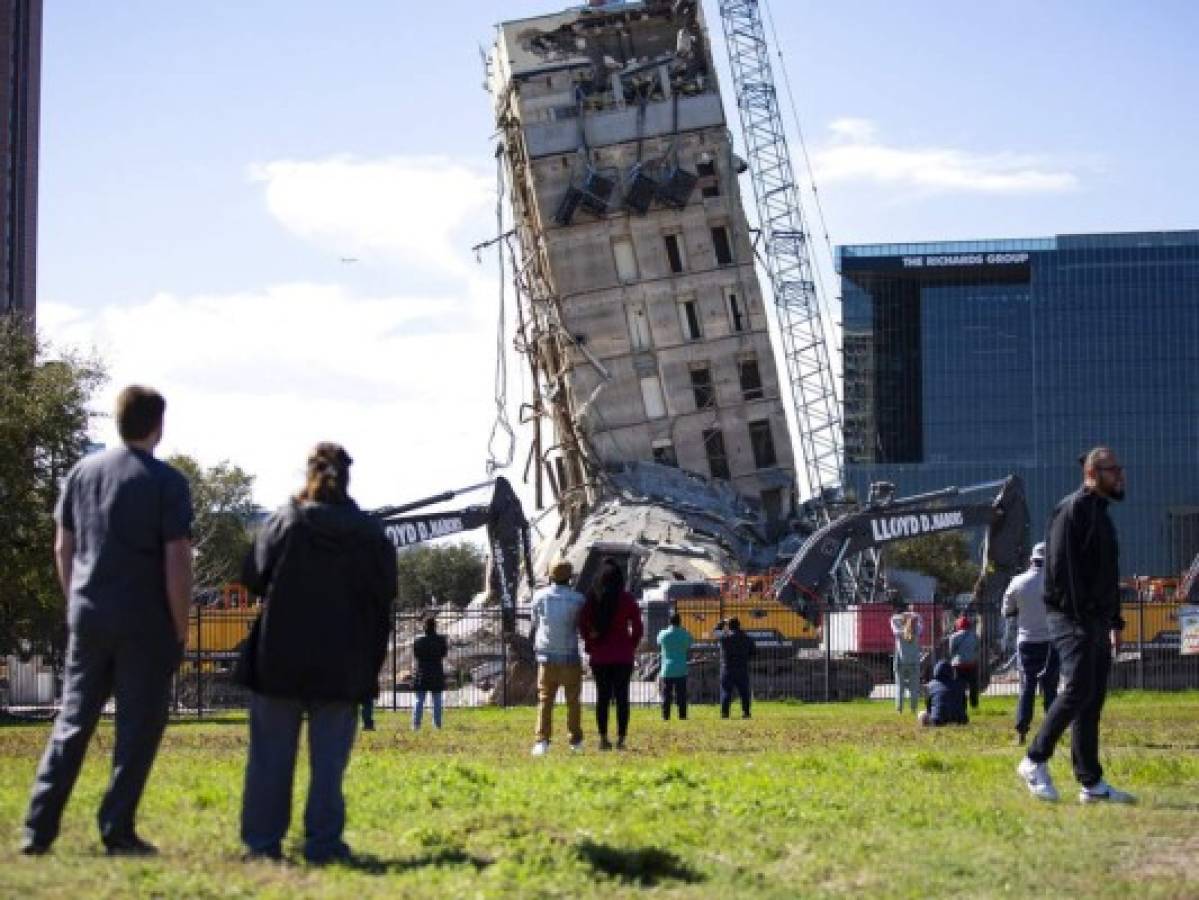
44	432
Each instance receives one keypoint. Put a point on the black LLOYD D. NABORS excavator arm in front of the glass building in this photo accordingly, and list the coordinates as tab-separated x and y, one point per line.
998	506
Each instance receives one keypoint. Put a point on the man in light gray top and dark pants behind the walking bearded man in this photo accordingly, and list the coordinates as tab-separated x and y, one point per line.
1025	602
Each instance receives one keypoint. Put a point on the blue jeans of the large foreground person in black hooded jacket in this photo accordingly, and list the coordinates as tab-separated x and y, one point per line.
267	801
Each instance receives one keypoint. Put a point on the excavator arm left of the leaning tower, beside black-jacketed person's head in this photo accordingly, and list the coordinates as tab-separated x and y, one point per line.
508	536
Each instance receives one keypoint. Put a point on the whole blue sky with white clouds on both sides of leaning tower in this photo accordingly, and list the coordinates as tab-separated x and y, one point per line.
206	167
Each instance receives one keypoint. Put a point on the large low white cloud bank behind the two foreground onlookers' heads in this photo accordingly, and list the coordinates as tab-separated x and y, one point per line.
258	377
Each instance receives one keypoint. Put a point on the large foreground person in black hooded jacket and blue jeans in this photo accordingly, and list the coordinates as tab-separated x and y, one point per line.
328	578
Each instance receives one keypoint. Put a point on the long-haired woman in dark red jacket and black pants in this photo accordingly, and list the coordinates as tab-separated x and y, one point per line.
612	629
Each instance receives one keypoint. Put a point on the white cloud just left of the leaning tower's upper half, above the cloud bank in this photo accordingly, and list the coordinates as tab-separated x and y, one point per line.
408	210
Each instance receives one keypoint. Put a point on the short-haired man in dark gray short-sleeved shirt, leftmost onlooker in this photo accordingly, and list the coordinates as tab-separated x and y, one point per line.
124	559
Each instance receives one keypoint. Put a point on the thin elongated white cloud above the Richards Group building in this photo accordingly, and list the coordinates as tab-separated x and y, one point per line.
854	154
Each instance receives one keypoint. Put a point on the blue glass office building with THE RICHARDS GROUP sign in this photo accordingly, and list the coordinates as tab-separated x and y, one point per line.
969	361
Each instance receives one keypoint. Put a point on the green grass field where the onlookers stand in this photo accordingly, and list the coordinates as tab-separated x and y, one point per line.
802	801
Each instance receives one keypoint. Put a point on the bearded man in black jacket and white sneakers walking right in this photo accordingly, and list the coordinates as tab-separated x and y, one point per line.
1082	595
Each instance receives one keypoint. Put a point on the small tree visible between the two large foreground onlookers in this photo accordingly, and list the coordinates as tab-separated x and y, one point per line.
222	498
